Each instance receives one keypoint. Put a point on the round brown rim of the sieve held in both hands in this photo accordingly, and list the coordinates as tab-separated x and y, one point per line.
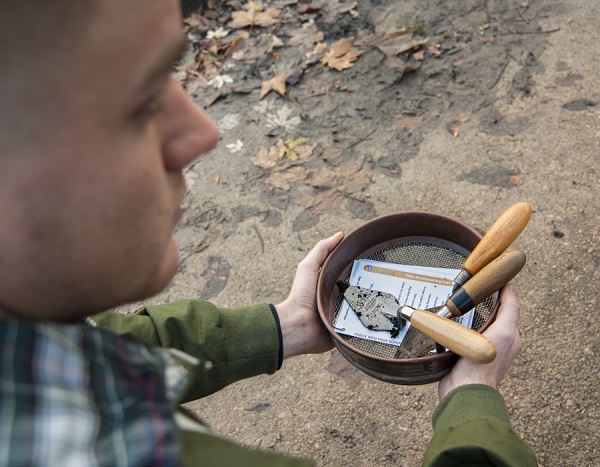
376	235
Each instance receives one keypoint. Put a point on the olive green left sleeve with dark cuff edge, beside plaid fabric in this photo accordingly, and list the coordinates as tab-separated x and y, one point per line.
231	343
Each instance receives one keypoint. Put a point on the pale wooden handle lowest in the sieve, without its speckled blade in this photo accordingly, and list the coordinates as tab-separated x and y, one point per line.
456	337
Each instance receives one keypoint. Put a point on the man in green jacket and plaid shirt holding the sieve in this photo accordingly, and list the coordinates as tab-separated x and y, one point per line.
94	136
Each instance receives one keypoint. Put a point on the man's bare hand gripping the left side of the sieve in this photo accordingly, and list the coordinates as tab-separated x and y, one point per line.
301	327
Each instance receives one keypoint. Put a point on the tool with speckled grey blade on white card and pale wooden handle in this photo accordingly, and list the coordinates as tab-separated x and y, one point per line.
450	334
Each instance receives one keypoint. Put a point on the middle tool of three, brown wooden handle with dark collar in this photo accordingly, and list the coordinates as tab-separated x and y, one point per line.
482	285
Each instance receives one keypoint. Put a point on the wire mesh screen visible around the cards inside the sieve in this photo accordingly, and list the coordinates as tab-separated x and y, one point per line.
415	254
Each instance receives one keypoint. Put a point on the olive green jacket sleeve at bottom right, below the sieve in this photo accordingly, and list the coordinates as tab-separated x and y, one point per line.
472	427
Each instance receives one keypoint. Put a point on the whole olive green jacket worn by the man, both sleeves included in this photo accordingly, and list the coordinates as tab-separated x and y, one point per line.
471	424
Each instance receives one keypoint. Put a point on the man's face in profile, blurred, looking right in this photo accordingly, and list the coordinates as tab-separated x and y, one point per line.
89	212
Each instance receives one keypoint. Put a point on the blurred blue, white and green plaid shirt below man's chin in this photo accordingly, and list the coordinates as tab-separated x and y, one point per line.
75	395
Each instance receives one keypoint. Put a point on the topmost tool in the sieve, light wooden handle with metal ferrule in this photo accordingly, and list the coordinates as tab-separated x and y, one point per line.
497	239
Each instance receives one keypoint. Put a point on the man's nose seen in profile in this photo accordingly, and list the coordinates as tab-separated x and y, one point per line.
187	131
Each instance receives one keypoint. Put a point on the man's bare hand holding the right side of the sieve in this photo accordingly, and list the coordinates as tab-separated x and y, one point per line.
505	336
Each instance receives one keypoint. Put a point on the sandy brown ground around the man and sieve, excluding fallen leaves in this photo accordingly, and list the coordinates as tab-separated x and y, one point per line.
507	112
